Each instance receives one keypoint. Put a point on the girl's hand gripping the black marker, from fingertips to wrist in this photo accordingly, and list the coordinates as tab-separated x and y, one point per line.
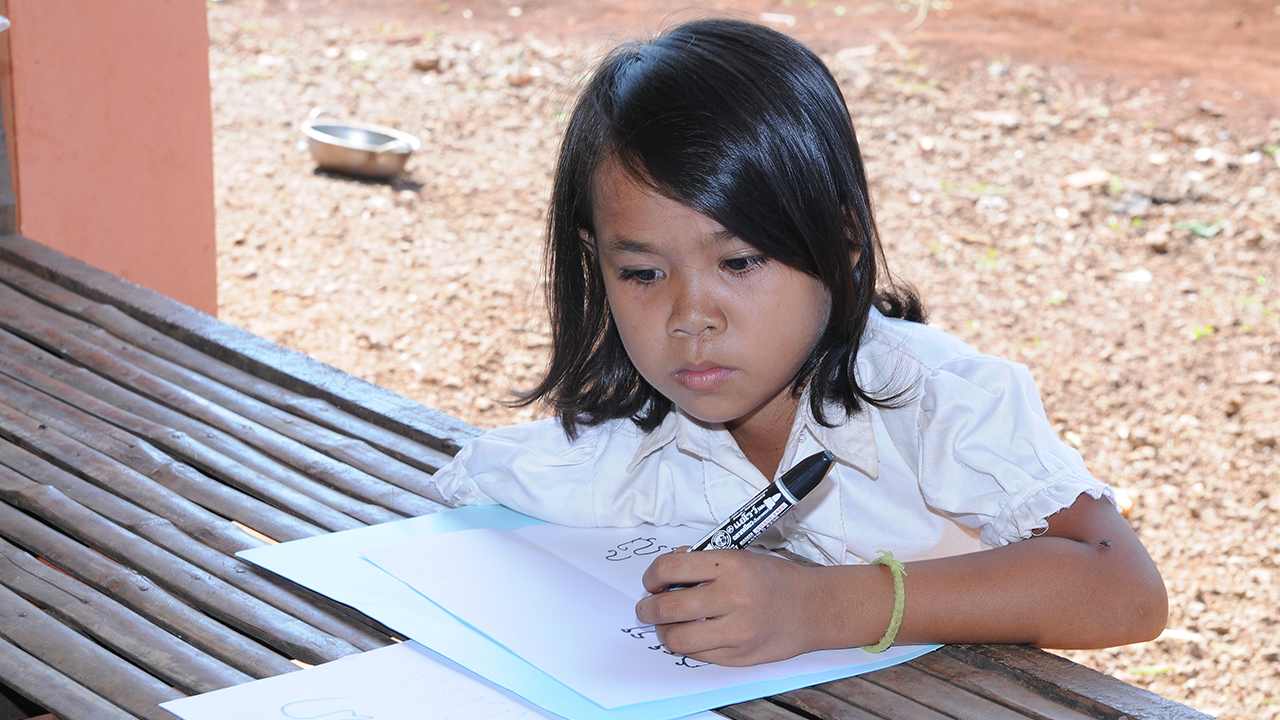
748	608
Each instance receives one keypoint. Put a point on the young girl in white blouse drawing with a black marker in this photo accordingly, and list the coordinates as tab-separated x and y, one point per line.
714	267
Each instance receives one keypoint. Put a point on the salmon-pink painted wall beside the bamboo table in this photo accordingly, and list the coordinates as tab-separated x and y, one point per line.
109	125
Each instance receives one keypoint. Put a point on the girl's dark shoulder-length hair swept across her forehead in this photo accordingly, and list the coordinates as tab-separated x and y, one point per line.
748	127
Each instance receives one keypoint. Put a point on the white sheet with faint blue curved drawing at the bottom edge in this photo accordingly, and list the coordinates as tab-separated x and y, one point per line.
397	682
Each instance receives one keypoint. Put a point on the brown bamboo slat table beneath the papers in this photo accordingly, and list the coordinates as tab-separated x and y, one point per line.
143	444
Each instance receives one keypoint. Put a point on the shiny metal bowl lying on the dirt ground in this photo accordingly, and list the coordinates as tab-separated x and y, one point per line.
358	149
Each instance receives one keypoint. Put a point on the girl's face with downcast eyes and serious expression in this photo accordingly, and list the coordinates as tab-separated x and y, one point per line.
707	320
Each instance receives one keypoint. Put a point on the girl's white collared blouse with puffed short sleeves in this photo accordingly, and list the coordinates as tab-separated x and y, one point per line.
967	462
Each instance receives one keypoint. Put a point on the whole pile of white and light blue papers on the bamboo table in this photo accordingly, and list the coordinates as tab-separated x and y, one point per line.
542	612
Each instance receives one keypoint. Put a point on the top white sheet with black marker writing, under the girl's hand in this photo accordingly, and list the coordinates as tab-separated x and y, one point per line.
564	600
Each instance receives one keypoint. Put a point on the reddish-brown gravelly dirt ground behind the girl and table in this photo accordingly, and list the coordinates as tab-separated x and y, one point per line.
1087	186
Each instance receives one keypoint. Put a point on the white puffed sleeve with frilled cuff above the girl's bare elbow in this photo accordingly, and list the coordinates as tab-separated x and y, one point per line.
990	458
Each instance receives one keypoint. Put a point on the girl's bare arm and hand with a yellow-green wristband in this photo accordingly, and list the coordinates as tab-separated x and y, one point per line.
1086	582
